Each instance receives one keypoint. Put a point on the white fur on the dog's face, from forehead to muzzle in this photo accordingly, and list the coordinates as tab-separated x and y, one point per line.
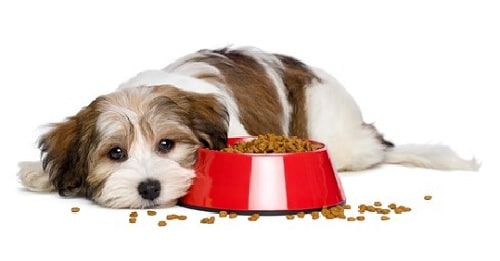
143	163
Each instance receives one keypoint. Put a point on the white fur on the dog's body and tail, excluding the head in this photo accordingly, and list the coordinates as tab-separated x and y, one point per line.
333	116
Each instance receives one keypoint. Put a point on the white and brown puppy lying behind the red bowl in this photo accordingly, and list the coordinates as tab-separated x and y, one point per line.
135	147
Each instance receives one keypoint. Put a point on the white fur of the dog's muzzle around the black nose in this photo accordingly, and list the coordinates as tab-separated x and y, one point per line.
120	189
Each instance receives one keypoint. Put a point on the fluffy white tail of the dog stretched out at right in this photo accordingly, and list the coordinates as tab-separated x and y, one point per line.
432	156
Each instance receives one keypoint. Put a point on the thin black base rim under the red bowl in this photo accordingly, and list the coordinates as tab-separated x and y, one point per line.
260	212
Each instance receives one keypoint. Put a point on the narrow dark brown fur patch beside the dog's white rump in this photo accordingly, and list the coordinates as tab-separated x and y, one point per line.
296	77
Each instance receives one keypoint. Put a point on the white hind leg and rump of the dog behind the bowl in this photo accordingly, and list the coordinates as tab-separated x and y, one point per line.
334	118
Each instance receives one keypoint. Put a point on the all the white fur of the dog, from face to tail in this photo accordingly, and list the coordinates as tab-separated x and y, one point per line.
333	117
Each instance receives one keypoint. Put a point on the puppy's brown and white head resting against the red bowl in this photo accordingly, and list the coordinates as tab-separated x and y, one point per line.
134	148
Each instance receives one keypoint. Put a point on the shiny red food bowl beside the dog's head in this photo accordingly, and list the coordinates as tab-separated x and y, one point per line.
272	183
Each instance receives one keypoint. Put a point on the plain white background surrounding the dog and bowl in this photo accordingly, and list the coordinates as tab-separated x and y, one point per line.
422	71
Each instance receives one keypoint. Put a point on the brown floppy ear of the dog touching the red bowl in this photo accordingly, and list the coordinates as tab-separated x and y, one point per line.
209	119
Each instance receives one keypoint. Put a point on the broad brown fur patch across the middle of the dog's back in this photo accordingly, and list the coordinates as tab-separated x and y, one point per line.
251	88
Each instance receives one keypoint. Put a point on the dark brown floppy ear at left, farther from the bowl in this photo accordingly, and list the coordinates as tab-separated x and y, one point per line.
65	150
